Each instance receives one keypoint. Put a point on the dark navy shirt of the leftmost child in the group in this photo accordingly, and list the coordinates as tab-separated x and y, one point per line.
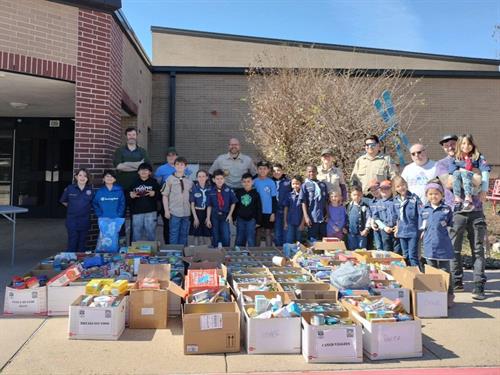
79	203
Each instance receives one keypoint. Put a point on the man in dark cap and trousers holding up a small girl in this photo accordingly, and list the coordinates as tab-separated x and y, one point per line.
473	222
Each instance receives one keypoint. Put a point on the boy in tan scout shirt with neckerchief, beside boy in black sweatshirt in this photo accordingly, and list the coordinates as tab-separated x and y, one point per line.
176	204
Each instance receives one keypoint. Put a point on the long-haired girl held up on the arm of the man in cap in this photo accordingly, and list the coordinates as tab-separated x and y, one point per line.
467	157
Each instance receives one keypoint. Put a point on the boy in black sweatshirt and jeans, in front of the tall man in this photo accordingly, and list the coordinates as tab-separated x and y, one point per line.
144	197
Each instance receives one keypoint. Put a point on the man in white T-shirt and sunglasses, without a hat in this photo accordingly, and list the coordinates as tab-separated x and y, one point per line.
418	173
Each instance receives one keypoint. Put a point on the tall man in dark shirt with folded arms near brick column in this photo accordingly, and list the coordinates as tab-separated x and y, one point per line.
128	158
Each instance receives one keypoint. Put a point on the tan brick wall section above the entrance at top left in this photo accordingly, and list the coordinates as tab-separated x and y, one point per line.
39	29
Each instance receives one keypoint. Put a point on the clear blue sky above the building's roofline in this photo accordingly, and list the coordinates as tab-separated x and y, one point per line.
449	27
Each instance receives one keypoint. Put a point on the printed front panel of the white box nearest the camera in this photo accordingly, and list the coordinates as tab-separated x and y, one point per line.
341	341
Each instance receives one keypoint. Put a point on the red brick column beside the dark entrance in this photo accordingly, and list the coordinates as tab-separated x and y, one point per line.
98	93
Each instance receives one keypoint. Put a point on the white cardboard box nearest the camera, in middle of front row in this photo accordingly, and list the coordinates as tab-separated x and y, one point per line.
326	344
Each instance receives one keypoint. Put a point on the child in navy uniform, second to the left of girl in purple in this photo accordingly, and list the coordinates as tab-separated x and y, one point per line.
293	215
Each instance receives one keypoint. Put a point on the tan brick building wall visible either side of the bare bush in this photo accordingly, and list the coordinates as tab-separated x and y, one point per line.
450	106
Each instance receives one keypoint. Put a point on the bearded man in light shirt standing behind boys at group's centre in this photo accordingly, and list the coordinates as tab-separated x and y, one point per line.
234	164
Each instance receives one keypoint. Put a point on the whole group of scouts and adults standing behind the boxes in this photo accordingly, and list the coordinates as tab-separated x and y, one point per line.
429	203
